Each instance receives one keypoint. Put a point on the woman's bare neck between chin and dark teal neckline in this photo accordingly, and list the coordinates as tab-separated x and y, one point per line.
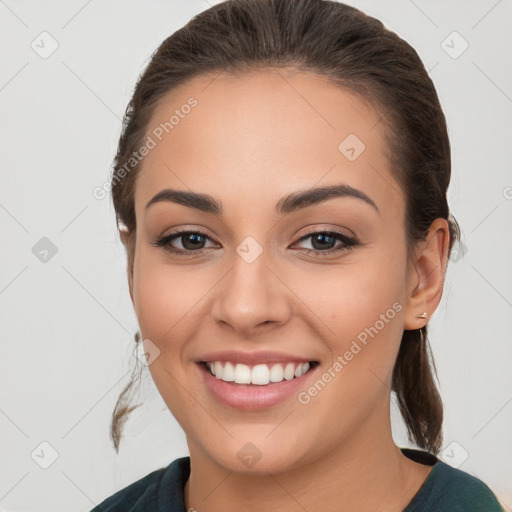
365	472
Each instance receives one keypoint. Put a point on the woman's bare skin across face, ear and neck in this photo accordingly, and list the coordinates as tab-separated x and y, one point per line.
251	140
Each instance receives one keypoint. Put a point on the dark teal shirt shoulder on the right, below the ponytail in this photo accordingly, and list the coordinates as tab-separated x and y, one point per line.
454	490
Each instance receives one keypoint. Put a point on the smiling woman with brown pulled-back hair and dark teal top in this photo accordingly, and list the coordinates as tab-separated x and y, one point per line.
280	188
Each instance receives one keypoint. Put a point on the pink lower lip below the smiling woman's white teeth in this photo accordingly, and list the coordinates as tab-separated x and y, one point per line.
252	396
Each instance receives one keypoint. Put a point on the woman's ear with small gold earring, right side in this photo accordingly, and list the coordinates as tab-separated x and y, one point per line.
426	275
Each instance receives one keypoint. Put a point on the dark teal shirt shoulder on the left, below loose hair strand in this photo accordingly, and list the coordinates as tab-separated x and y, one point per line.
143	495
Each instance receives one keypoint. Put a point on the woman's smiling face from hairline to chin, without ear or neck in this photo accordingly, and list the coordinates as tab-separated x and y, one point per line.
264	282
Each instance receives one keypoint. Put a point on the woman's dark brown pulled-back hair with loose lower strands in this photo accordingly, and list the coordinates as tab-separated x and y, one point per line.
356	52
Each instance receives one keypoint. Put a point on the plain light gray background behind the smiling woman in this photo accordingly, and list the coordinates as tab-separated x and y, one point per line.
68	324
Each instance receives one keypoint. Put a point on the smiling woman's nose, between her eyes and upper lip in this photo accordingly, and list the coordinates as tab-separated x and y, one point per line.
251	297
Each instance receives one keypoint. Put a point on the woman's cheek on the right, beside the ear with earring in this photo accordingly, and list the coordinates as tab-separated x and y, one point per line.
362	304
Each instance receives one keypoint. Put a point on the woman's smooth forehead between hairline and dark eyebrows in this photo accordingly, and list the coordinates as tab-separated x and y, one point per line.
262	134
